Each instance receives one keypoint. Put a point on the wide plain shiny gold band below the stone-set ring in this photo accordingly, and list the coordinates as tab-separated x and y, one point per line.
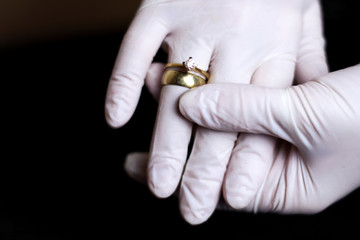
180	78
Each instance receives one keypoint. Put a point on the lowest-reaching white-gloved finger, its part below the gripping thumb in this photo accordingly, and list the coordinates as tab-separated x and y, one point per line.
204	173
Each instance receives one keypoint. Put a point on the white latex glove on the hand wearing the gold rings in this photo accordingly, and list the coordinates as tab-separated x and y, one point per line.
255	42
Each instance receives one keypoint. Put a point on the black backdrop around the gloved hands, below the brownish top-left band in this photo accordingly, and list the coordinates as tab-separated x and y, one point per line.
61	168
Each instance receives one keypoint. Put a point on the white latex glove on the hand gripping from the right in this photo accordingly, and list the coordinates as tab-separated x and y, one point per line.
318	163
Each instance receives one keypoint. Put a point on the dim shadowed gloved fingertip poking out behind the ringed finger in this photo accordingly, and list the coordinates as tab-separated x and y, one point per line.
136	164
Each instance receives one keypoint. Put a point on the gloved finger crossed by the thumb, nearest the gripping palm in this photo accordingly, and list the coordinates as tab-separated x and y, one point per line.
253	154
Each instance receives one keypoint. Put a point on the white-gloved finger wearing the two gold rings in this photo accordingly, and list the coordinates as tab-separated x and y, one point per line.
172	131
